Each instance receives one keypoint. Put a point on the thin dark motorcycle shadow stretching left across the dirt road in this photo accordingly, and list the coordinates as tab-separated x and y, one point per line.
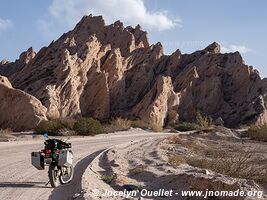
23	185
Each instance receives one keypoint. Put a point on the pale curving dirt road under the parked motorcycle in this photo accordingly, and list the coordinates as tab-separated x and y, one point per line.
19	180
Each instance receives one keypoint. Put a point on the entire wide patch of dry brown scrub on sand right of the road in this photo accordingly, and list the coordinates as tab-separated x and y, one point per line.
231	160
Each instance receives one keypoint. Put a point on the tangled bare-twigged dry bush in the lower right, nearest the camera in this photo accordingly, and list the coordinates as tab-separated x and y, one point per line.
237	164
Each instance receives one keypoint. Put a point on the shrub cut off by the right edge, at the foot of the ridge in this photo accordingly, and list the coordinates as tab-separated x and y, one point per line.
258	132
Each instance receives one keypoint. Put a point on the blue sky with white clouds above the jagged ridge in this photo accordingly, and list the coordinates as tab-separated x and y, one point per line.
188	25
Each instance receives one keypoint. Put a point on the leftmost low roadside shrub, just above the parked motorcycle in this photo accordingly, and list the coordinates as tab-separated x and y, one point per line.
52	127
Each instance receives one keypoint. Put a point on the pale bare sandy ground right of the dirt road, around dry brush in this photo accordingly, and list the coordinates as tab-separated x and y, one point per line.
145	164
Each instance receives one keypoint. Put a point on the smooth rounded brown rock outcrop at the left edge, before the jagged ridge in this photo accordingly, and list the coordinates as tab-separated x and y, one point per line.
19	110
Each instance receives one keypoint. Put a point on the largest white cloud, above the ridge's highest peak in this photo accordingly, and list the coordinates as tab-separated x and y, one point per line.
64	14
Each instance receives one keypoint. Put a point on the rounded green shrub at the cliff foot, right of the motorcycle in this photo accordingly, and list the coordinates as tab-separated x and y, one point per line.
88	126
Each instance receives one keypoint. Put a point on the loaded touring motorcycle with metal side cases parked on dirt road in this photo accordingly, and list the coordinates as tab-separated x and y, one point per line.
59	157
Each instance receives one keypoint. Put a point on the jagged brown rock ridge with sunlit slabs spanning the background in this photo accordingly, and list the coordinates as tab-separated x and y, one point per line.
106	71
